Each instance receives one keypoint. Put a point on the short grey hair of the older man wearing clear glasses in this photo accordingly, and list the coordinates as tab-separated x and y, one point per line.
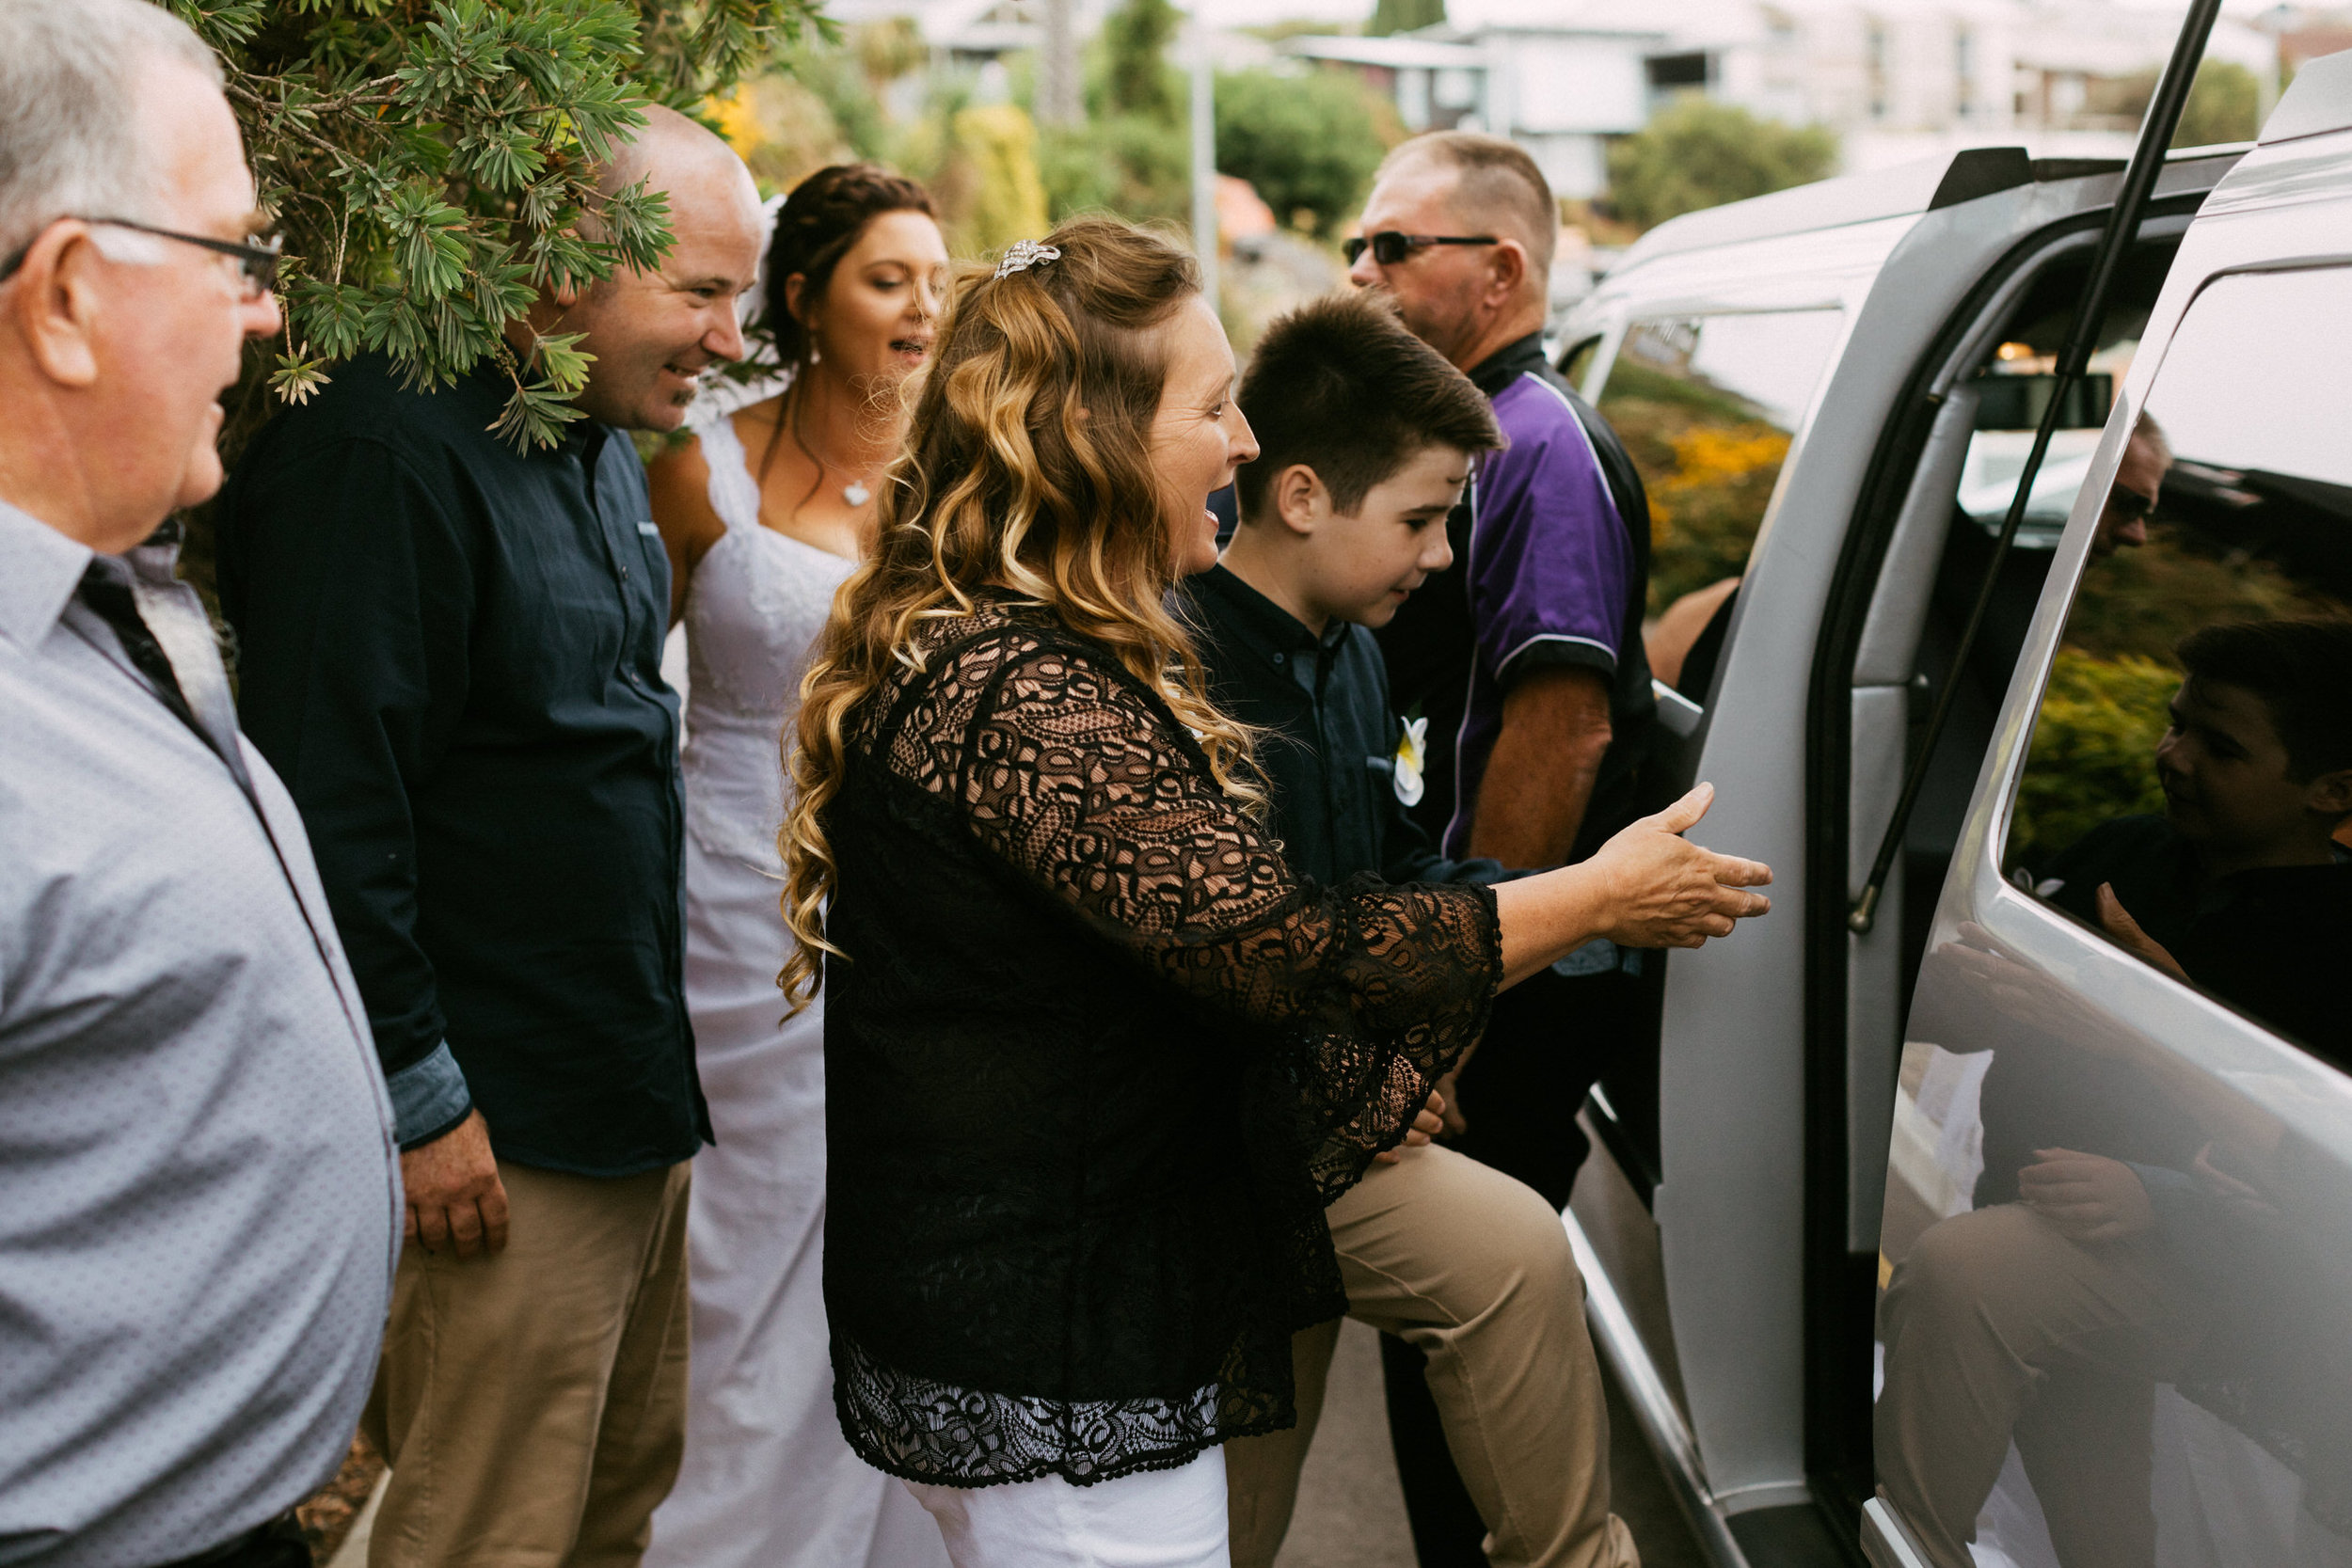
69	109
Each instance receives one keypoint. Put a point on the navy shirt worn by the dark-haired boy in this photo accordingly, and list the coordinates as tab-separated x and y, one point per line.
1328	735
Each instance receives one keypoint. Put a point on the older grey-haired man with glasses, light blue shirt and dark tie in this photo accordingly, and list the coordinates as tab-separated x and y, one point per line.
199	1188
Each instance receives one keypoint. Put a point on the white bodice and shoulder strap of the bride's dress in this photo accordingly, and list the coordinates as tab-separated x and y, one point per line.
756	605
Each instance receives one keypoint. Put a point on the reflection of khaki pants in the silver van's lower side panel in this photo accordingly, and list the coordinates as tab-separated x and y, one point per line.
2000	1329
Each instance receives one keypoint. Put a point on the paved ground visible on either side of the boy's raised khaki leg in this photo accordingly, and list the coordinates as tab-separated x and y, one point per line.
1351	1513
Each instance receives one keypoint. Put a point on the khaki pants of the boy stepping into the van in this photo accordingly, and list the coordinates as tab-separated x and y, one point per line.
1476	1271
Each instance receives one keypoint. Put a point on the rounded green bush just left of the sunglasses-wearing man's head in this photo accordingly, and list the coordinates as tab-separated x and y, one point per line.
1307	142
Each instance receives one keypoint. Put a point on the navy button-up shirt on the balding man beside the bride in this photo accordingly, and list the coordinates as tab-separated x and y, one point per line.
453	655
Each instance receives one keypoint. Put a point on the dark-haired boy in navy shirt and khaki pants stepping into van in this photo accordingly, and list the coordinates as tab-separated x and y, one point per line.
1368	441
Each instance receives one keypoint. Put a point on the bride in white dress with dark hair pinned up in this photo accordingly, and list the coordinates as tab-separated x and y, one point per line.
766	511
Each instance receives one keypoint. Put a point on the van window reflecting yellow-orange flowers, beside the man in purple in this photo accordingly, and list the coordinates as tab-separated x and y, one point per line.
1706	406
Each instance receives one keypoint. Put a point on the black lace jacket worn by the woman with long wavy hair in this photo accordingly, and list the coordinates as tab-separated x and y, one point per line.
1095	1066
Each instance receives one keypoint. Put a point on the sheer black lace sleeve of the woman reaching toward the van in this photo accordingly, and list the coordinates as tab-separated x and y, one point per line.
1088	789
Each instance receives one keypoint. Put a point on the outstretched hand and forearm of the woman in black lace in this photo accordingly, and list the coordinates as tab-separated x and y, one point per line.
1648	887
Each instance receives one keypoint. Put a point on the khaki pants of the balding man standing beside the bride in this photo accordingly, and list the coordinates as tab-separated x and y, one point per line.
533	1405
